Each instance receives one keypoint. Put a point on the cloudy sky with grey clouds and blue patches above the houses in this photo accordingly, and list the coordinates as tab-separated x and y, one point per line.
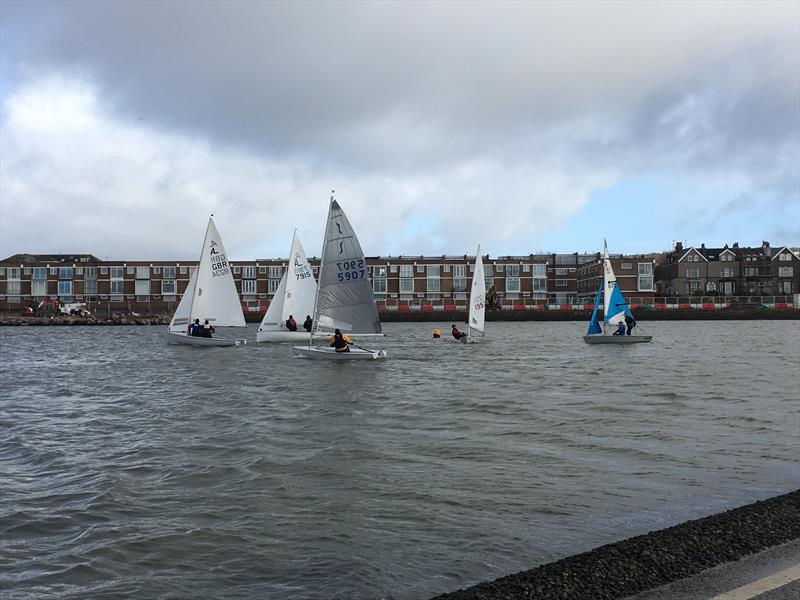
523	126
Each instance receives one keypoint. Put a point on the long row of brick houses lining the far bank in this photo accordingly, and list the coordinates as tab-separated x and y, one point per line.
692	274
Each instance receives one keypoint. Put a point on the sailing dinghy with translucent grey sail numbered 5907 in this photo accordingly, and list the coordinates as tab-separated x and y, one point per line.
344	298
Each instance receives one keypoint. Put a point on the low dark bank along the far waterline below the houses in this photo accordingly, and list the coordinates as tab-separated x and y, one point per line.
724	314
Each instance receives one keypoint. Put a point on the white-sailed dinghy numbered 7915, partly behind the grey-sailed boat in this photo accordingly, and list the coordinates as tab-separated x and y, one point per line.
294	296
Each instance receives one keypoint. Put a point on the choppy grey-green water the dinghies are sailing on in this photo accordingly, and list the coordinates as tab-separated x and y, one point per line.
132	468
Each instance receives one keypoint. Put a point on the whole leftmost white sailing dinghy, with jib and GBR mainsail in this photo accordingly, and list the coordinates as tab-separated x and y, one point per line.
211	295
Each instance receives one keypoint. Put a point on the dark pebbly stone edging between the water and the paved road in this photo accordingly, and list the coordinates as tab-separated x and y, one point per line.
648	561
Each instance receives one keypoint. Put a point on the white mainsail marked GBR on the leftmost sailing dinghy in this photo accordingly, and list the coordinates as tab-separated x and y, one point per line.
215	297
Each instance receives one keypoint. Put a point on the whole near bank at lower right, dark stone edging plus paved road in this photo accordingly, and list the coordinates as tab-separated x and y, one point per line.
697	559
